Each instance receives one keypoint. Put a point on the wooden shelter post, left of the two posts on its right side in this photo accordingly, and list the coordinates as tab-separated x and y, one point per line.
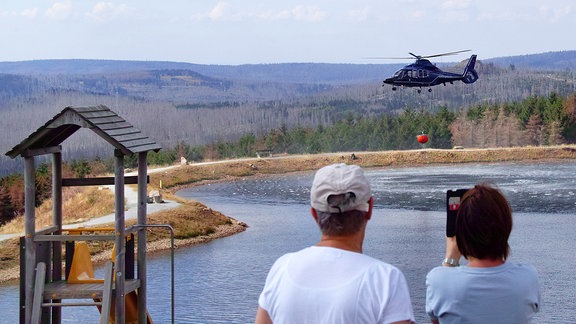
119	264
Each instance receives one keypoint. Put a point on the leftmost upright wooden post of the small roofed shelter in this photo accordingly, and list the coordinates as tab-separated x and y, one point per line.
29	231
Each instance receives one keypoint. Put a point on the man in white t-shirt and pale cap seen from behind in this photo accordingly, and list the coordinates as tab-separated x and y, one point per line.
333	282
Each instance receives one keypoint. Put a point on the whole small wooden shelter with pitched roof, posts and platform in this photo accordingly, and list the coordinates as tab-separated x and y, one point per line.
43	247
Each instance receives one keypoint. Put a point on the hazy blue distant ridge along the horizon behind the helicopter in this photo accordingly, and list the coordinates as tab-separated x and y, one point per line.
284	72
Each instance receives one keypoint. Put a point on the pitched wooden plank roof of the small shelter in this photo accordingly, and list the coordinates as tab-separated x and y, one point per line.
103	121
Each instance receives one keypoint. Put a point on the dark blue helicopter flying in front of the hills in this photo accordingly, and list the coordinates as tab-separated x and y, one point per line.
423	73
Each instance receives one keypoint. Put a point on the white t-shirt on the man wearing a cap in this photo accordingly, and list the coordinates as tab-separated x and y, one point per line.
328	285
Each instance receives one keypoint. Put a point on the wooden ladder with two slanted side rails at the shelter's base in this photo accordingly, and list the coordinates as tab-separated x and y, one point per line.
105	295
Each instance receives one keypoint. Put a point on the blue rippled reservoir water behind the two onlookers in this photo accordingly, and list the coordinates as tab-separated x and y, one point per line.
219	282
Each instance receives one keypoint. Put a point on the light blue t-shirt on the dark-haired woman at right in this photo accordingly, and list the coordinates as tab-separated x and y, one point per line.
509	293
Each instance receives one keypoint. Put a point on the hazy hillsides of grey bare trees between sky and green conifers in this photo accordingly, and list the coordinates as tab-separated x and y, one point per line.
176	102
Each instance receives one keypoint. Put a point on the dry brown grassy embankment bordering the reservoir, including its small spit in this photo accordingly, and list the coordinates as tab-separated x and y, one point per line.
195	223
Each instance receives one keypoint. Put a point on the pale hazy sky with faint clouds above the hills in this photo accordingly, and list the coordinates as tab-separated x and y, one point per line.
281	31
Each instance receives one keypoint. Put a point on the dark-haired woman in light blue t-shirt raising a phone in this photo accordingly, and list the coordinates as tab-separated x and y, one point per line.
488	289
